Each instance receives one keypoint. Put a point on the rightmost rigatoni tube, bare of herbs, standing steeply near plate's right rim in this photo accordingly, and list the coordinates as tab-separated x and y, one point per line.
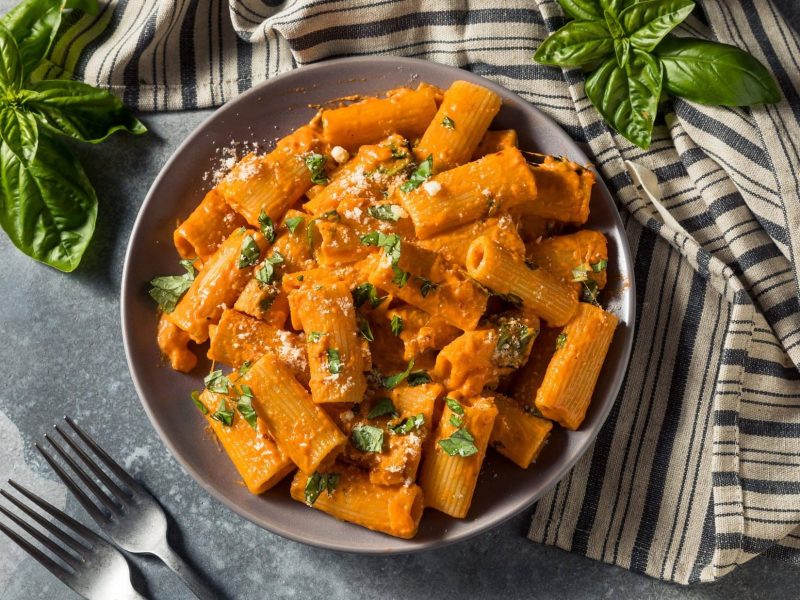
571	376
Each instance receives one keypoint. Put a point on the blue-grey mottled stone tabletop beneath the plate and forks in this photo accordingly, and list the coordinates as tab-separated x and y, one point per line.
62	354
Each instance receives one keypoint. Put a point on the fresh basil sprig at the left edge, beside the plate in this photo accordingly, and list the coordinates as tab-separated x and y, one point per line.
48	207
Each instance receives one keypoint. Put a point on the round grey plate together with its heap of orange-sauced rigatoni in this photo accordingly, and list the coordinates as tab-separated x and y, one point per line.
395	317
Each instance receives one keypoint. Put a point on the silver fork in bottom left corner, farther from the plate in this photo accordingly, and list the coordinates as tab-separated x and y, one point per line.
89	564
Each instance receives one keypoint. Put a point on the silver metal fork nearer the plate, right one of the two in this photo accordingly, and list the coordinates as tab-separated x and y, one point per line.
130	517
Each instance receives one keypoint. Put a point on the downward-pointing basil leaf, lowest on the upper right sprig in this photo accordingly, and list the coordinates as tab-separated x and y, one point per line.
628	98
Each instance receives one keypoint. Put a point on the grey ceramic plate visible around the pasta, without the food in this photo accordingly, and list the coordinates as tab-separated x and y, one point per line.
272	110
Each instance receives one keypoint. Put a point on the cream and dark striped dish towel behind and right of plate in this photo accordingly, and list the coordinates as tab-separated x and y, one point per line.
698	468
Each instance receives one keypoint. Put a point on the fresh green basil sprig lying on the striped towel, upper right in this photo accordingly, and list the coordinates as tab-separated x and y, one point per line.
632	62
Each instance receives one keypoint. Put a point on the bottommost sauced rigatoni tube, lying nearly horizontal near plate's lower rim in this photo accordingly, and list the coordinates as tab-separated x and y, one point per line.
395	509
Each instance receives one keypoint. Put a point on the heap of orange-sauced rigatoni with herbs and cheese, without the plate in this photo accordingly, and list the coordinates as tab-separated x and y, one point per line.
370	294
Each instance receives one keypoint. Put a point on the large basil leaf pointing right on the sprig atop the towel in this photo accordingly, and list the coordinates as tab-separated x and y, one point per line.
714	73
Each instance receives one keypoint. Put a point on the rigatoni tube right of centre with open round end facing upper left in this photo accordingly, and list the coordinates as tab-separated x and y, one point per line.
535	289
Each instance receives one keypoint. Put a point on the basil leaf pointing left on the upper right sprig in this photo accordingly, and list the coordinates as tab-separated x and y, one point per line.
577	43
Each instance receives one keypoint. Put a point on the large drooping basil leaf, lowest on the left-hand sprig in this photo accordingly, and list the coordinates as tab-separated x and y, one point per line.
48	208
